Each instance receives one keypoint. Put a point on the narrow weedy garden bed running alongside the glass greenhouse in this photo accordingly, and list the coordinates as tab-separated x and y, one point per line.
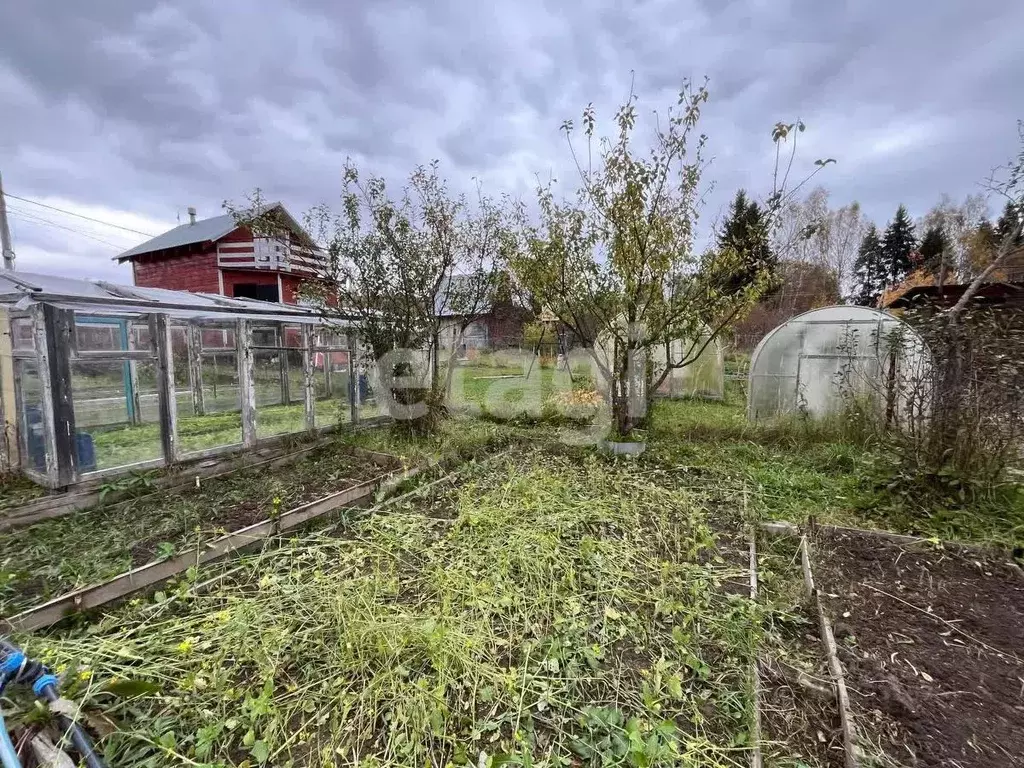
60	556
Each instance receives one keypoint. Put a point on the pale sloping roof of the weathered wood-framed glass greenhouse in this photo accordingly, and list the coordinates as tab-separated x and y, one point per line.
101	297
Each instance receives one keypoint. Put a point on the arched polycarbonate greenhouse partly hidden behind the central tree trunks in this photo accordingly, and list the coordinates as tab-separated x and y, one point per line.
704	376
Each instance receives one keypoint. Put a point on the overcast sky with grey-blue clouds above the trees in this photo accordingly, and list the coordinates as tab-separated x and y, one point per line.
131	111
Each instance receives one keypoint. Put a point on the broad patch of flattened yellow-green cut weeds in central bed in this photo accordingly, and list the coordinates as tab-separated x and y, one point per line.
545	612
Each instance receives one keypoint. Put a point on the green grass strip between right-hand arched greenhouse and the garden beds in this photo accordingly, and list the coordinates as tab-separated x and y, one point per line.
798	468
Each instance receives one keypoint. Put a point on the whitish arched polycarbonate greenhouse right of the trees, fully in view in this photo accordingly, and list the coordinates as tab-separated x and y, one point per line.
816	363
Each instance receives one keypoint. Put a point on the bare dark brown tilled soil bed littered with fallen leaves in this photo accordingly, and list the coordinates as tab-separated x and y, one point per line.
933	645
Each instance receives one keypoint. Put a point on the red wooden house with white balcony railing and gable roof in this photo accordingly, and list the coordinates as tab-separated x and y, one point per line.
219	257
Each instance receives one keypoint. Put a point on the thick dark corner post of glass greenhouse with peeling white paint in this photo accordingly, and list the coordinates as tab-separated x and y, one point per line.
54	329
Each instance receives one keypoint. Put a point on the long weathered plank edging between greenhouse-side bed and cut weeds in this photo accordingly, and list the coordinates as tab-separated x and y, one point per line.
155	573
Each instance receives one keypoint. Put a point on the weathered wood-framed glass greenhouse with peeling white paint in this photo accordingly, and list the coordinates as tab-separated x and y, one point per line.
100	379
